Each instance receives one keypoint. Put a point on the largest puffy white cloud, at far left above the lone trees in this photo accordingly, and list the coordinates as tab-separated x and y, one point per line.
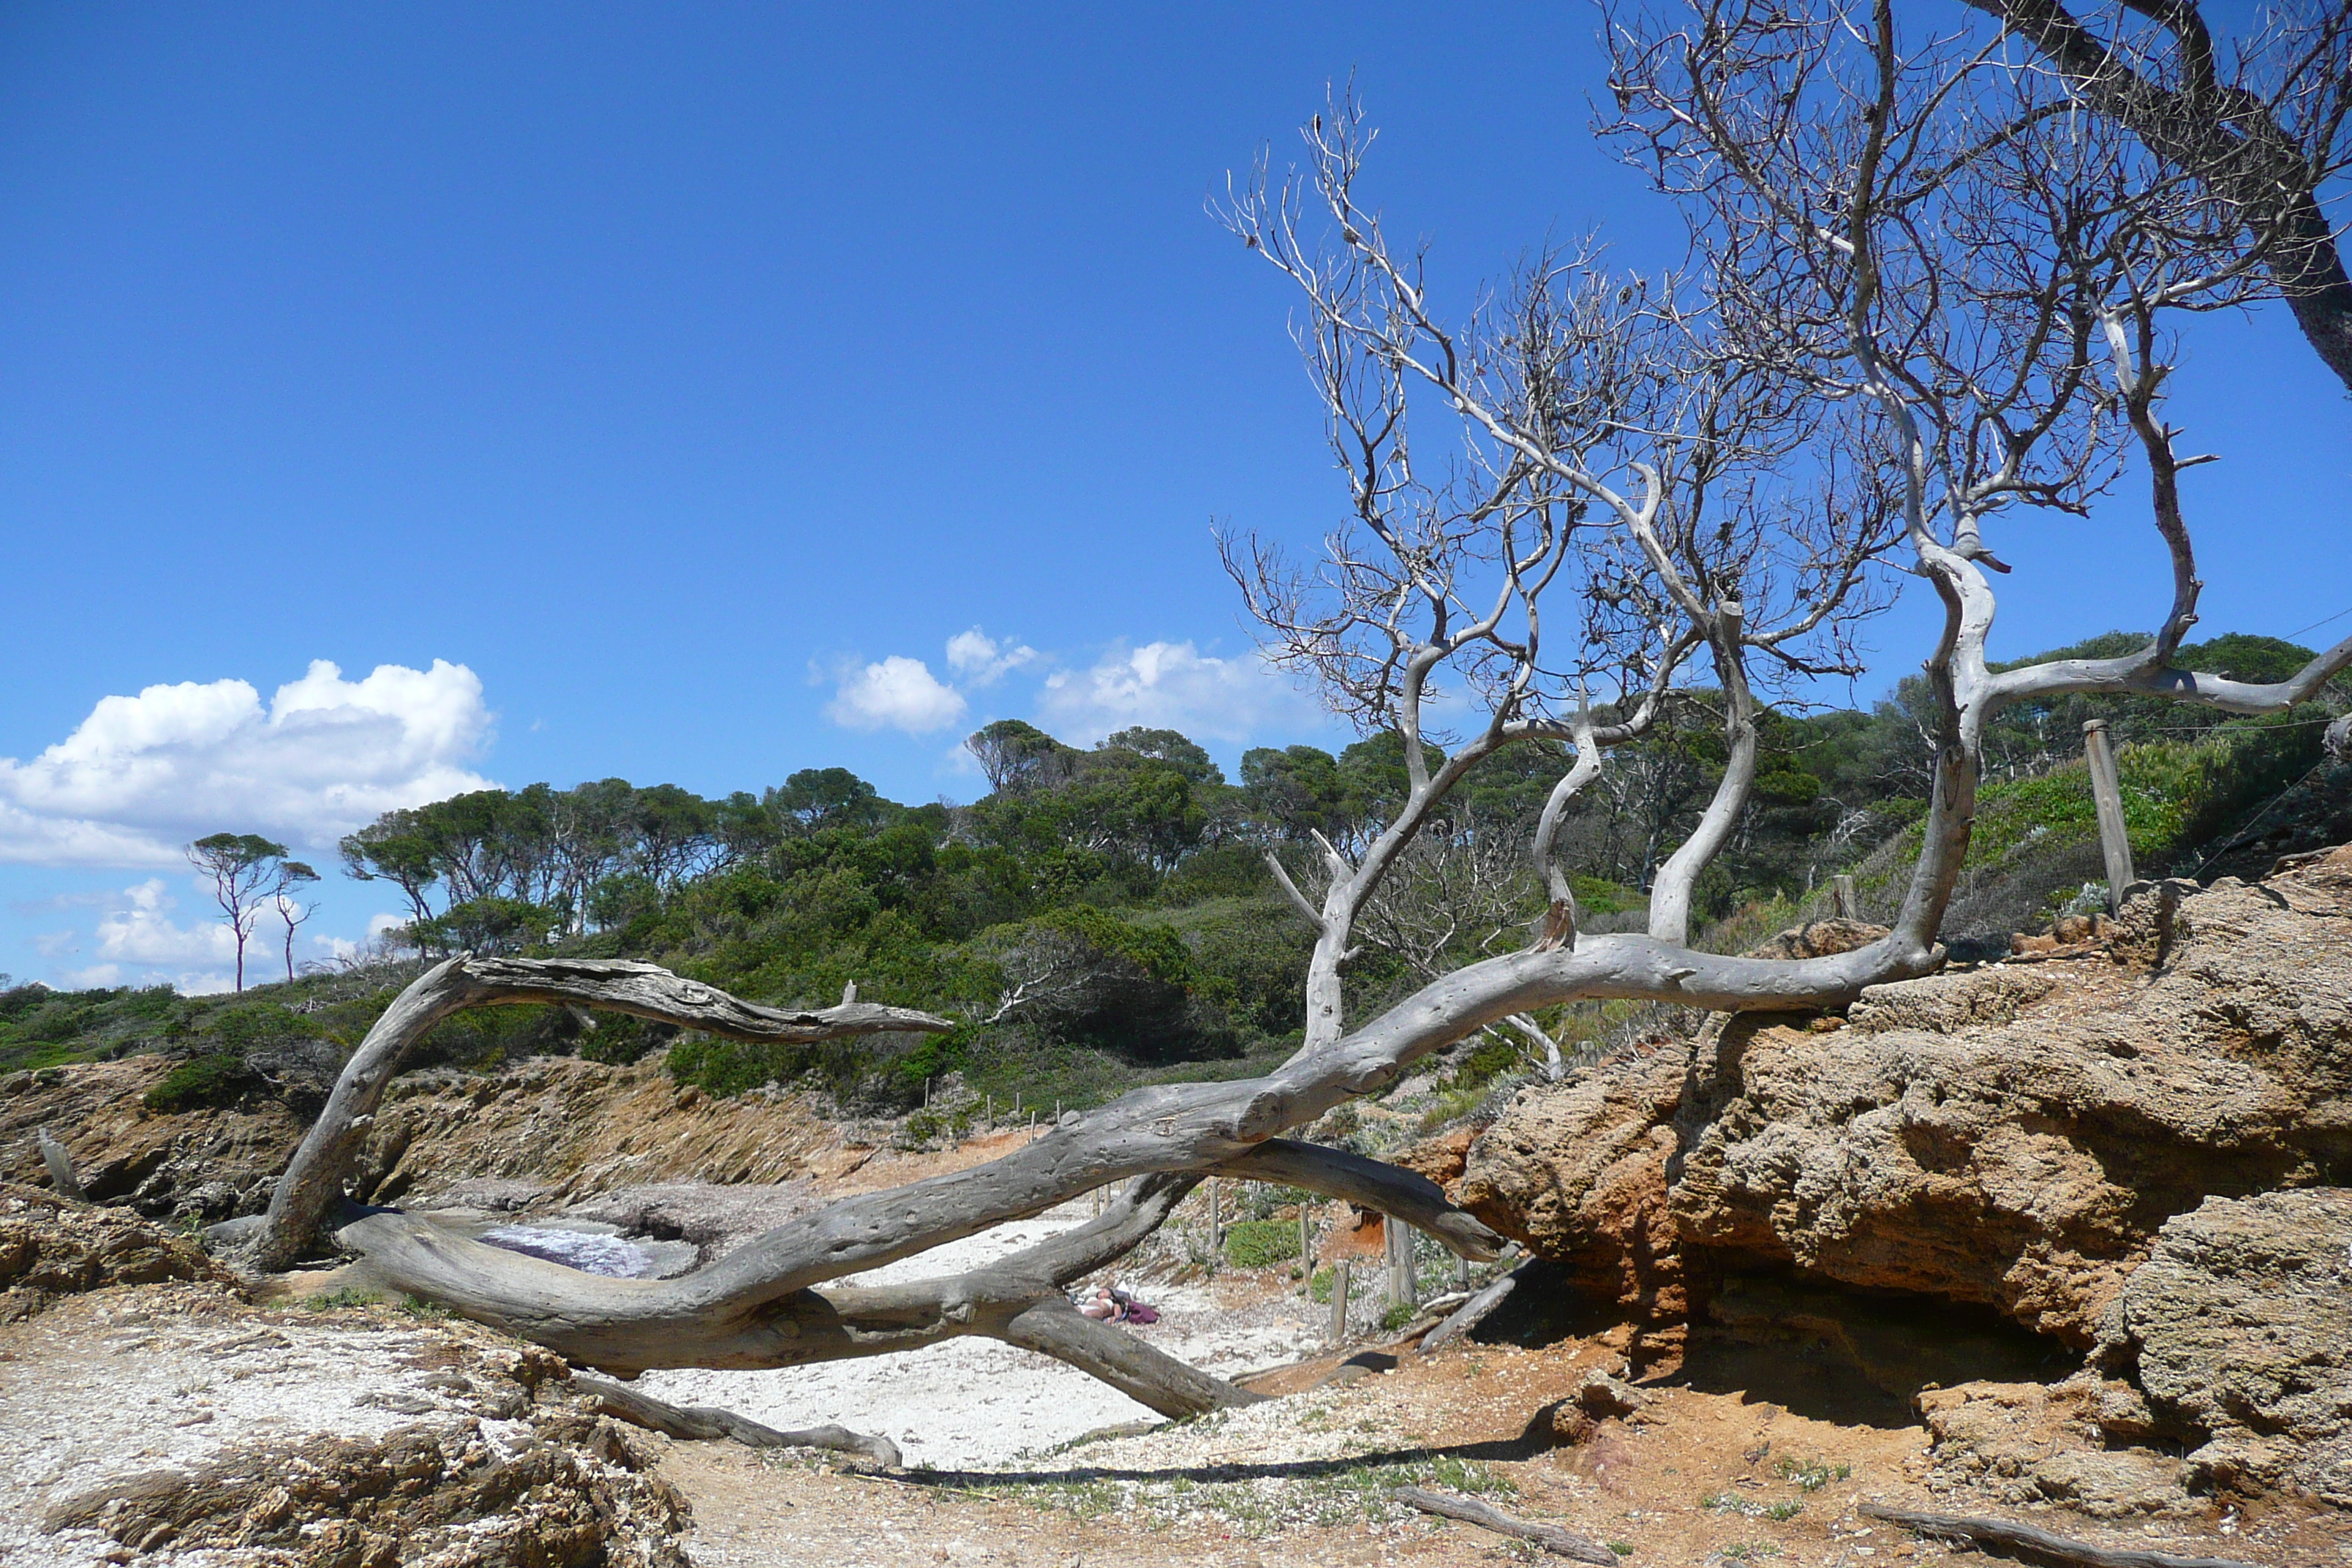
145	775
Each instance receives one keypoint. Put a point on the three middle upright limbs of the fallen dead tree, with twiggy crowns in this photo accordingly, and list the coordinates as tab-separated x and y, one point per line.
1612	455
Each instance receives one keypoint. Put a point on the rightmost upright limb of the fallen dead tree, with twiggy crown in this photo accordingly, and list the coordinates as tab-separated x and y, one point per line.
1923	232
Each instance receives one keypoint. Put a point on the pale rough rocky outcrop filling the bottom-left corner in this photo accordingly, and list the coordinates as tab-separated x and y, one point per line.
175	1419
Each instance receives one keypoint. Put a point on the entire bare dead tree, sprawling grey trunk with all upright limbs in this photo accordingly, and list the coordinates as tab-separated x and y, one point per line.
1927	302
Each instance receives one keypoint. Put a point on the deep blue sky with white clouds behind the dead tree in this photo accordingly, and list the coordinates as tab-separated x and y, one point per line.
686	377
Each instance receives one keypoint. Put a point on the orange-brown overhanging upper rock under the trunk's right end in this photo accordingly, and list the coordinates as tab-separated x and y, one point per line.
2012	1137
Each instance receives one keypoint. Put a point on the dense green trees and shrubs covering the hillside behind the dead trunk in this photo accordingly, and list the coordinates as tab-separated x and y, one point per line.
1104	916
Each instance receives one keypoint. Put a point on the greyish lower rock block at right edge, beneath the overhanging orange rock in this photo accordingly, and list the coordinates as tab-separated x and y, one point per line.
2240	1329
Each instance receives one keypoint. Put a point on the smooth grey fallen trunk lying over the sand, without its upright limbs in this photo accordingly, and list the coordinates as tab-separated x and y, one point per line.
770	1304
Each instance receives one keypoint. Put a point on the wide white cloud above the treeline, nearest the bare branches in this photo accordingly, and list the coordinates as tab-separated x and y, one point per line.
1172	685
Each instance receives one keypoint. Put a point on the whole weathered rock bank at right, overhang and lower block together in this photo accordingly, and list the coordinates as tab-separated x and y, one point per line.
2130	1148
